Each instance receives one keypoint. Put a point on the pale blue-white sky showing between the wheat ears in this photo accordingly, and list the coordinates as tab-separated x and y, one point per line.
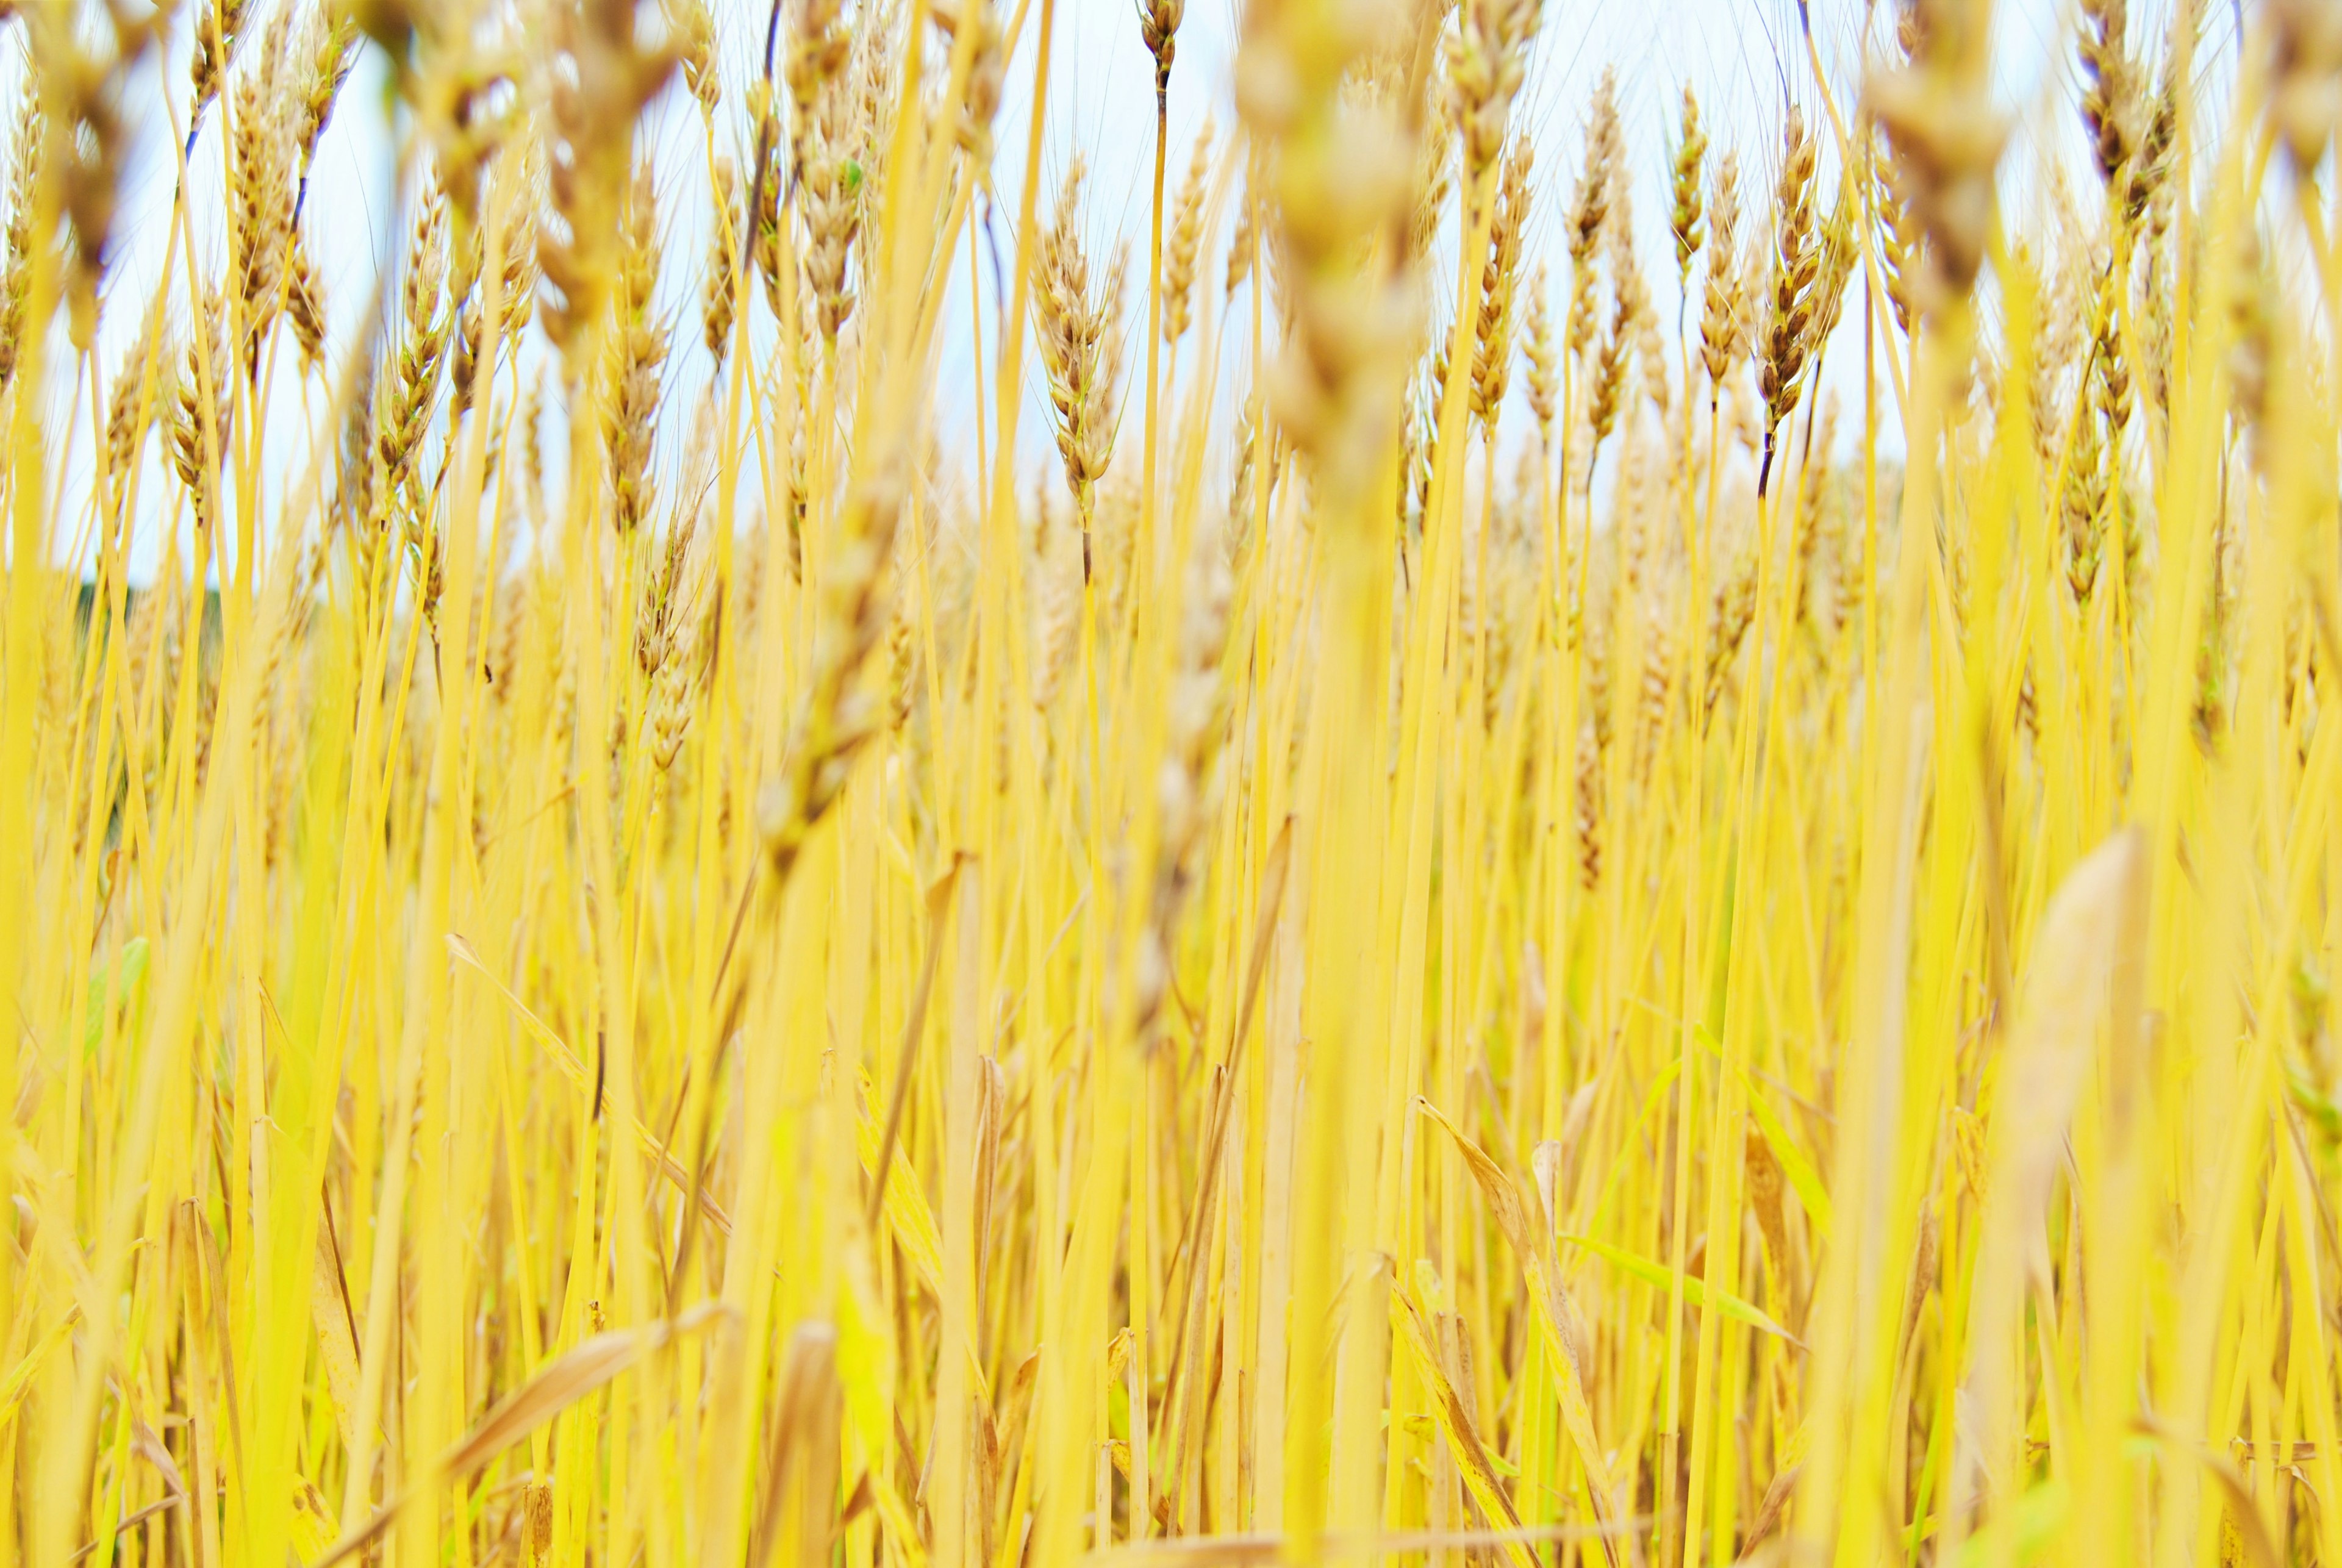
1741	57
